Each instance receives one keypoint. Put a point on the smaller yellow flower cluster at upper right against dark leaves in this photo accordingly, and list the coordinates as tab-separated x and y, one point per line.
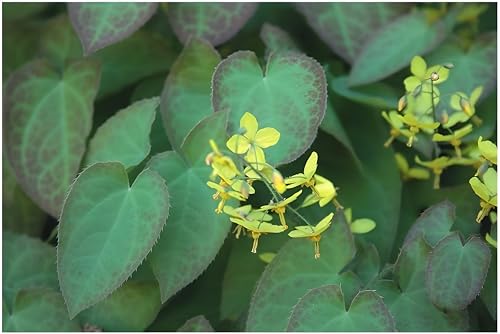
416	117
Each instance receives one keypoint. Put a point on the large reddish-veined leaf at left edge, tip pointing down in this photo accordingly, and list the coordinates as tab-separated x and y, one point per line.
47	118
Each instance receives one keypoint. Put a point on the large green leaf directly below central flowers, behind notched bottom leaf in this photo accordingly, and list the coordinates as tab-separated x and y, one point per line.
294	271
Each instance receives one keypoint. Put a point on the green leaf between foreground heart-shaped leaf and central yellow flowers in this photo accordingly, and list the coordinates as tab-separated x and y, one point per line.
191	238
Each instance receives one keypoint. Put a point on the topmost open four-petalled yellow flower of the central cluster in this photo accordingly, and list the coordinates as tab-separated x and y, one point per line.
253	140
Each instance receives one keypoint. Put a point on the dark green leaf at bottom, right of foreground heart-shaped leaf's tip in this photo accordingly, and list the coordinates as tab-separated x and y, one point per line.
130	308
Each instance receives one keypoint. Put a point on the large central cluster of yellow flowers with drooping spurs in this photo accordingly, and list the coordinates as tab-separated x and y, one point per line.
235	171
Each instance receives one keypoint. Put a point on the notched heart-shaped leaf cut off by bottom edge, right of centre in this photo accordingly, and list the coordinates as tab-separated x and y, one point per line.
323	309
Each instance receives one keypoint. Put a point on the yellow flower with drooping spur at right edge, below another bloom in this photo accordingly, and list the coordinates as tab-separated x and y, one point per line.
486	189
